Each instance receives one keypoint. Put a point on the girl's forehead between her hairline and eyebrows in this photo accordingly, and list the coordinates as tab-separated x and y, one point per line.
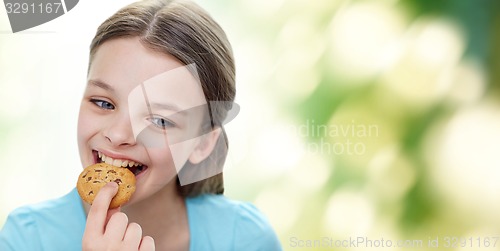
125	64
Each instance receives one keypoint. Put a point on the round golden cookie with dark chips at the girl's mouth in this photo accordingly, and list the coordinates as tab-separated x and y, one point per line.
94	177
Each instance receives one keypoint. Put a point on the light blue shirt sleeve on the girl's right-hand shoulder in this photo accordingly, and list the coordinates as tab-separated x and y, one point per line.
253	232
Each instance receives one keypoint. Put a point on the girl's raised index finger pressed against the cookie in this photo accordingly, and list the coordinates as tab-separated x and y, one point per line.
96	219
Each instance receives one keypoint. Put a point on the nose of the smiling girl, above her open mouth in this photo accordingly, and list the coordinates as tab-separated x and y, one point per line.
119	132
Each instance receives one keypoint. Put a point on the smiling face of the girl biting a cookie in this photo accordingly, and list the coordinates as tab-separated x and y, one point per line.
133	114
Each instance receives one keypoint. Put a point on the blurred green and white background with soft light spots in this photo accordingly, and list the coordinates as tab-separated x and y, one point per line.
376	119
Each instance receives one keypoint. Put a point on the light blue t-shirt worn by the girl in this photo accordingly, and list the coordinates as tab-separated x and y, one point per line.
215	223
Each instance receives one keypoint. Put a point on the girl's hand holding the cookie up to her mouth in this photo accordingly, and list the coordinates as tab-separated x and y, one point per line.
109	229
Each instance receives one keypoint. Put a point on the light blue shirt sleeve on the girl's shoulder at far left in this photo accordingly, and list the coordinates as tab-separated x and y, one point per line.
19	232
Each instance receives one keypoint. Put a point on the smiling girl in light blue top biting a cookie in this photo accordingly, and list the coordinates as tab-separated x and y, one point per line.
161	81
